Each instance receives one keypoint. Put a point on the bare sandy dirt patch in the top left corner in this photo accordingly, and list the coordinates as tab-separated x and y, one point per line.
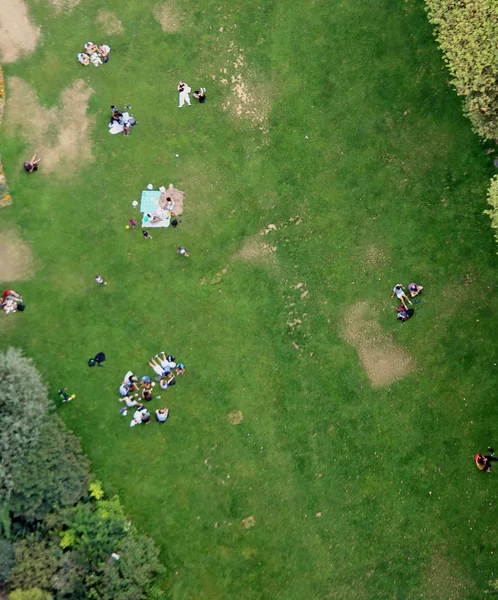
18	35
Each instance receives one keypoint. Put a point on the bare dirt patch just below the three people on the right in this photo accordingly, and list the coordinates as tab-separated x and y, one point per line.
384	361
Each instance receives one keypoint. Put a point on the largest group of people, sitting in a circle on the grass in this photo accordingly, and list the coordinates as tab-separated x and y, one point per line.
134	392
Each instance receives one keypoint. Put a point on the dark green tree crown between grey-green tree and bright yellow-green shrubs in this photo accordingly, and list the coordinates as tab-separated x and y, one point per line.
54	473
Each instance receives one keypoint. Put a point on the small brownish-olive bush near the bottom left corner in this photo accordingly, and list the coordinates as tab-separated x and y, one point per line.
35	565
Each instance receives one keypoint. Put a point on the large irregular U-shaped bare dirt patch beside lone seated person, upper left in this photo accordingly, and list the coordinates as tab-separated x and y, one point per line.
60	135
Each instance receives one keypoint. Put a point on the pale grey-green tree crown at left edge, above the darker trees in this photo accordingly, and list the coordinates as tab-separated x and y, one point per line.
23	403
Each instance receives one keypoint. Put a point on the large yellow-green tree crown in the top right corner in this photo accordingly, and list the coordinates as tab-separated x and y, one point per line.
466	31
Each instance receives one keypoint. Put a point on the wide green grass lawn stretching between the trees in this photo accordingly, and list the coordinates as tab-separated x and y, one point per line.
356	491
